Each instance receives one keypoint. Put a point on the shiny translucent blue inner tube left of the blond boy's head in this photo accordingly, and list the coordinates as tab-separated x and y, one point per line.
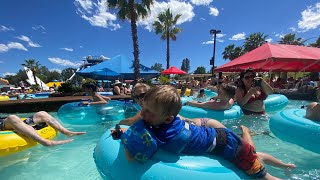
74	113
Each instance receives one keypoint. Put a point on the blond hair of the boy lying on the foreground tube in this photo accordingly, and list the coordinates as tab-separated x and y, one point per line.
166	98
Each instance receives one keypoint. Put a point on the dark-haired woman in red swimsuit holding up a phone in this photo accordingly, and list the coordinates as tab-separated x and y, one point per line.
250	95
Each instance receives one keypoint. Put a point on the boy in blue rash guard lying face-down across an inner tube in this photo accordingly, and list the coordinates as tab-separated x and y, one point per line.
162	128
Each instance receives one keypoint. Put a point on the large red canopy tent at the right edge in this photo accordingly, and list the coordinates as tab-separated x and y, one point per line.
277	58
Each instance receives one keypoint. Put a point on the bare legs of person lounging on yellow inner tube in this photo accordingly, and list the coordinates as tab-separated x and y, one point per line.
25	128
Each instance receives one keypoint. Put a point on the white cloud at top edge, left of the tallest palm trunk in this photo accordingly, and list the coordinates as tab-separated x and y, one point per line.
97	13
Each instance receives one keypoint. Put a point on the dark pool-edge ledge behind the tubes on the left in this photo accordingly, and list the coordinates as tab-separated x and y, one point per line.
44	104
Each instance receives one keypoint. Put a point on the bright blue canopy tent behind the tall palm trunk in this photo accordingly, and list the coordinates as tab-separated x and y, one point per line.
118	66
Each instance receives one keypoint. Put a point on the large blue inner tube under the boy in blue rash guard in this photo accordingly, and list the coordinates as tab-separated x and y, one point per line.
111	163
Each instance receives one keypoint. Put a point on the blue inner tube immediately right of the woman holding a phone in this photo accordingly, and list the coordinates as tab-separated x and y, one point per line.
275	102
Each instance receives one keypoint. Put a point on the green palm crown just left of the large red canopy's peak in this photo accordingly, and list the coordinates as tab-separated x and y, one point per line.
254	40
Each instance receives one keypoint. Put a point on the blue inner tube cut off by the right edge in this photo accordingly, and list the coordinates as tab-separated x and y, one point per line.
291	126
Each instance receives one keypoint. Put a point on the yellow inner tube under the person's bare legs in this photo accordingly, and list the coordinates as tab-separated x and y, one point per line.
11	142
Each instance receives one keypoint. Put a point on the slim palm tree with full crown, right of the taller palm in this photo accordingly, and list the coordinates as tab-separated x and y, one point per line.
166	25
